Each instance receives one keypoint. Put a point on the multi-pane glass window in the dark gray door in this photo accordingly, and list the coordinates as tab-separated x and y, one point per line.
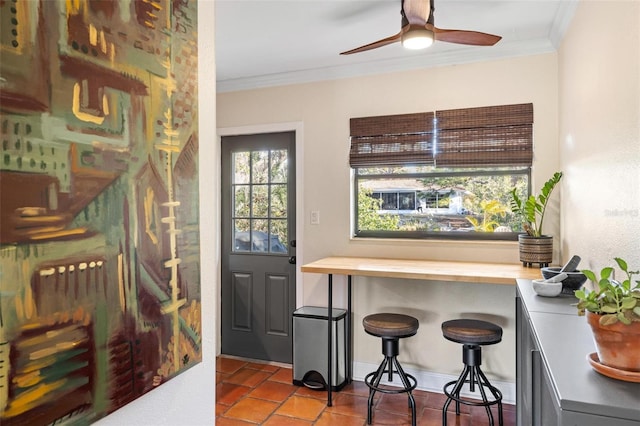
260	202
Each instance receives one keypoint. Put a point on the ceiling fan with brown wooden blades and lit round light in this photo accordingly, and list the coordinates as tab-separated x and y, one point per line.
418	30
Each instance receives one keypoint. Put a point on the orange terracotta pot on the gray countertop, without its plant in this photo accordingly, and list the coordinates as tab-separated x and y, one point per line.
618	345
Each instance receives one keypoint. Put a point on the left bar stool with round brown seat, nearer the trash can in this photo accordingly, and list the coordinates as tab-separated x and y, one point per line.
391	328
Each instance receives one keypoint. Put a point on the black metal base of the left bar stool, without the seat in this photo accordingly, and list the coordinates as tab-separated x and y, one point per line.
409	382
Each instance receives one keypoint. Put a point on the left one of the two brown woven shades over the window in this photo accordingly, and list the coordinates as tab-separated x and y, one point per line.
392	140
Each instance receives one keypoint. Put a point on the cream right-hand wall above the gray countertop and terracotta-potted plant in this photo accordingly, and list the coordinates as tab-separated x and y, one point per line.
599	74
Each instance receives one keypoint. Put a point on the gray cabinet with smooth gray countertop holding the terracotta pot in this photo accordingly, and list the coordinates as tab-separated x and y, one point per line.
555	385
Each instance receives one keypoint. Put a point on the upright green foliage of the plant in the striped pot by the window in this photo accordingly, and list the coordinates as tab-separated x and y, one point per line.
532	209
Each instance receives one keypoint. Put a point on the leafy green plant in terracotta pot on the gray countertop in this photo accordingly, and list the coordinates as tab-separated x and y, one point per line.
612	309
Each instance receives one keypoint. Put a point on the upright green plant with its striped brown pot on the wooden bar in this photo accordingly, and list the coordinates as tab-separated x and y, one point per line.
534	247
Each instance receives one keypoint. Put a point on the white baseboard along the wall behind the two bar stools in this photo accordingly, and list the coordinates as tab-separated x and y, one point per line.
434	382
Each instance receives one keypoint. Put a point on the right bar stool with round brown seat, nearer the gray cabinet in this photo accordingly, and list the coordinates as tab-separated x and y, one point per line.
472	334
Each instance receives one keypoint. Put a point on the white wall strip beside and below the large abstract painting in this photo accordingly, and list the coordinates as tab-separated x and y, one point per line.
189	399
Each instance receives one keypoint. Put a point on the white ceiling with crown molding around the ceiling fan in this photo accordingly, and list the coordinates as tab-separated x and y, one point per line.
261	43
